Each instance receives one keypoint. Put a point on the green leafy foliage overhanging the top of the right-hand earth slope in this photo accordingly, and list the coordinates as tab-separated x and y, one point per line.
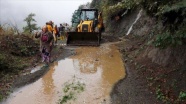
172	14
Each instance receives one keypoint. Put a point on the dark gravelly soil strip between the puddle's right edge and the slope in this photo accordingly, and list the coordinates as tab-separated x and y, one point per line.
133	89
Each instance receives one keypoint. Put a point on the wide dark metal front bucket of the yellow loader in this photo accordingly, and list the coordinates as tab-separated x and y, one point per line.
83	39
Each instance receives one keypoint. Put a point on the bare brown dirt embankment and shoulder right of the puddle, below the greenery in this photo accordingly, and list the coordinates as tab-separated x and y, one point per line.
153	75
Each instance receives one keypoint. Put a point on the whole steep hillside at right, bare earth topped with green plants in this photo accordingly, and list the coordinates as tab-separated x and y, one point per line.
158	53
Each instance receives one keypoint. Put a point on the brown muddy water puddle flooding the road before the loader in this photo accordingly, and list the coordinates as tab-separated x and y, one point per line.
99	68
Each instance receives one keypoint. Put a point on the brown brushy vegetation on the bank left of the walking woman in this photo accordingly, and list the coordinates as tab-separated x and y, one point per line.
17	52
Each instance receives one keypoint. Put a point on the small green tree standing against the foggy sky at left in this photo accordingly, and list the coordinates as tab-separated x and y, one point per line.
30	23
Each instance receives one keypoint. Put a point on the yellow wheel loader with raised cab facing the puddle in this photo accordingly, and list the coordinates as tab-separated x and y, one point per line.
88	30
